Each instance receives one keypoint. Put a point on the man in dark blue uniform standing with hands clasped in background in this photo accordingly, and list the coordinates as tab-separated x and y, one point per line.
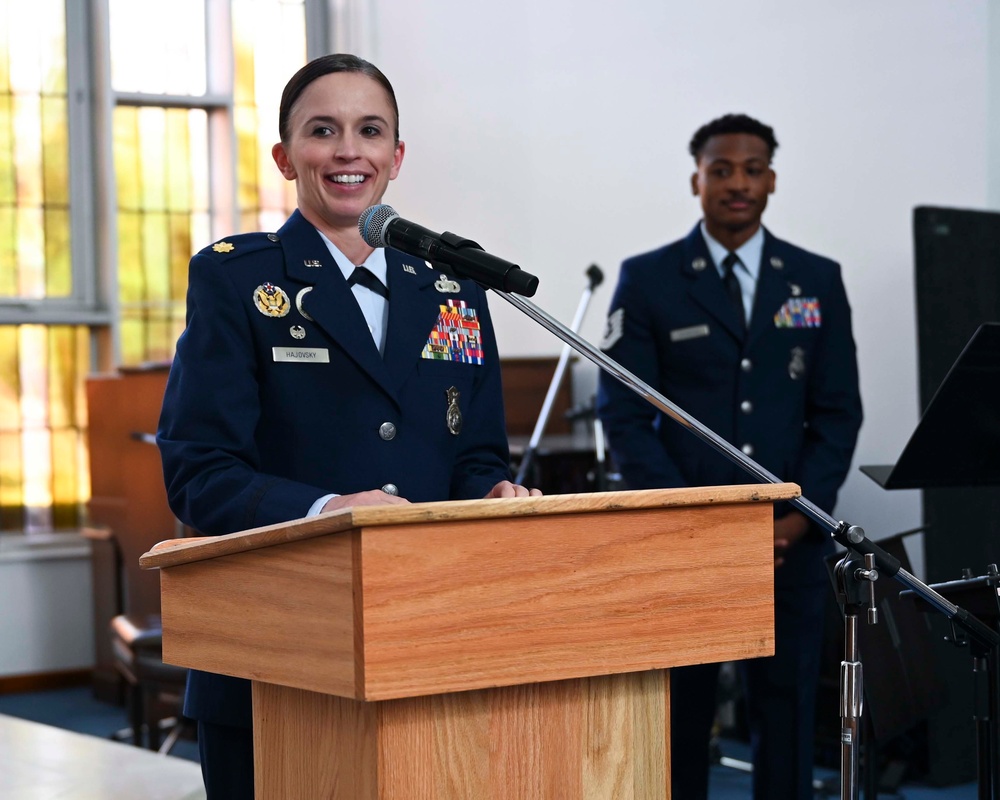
751	336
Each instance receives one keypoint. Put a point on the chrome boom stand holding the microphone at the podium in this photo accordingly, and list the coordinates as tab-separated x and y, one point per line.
852	537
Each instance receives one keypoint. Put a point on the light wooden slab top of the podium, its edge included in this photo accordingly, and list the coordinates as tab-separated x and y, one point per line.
174	552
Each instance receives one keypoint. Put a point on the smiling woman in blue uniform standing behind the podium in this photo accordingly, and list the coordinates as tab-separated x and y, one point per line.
317	373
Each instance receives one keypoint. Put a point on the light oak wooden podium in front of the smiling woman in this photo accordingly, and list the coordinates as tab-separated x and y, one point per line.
475	649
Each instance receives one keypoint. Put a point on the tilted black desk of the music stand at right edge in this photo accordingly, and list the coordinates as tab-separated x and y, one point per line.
957	442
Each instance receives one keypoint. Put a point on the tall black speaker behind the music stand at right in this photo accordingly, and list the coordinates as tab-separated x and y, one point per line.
957	279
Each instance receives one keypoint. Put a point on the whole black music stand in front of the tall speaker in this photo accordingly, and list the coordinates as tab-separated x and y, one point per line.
957	444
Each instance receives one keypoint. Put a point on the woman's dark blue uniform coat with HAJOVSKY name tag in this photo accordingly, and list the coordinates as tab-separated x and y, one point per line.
278	395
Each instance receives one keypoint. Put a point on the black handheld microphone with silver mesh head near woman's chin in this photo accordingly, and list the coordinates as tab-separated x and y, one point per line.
381	226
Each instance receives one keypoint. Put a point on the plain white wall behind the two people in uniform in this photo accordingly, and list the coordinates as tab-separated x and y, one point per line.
555	134
